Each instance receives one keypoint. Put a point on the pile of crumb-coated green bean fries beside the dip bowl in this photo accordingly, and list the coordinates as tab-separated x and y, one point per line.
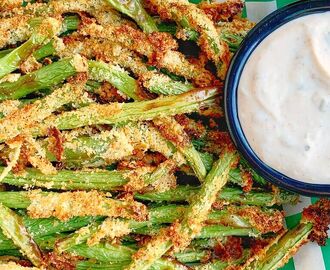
114	152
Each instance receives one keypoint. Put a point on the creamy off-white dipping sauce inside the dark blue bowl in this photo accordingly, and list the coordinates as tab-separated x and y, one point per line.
284	99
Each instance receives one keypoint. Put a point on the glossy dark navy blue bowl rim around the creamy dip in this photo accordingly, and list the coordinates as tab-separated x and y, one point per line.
259	32
